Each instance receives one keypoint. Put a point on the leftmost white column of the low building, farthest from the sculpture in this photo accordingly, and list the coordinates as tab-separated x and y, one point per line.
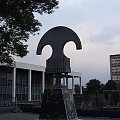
14	84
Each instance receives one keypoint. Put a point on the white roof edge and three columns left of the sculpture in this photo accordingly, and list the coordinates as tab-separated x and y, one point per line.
29	68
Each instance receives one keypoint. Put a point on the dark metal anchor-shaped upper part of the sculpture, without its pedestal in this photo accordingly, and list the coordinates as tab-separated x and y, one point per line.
57	37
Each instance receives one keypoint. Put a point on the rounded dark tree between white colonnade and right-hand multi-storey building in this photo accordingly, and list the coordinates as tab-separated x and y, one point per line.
93	86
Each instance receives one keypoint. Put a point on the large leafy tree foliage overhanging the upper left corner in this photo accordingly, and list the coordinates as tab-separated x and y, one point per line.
17	22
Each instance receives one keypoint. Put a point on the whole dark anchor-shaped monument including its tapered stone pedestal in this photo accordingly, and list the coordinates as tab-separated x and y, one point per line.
58	102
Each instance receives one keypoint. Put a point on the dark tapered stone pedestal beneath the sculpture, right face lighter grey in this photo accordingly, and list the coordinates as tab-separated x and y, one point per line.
58	104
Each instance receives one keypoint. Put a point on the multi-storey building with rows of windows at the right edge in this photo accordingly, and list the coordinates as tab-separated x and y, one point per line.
115	67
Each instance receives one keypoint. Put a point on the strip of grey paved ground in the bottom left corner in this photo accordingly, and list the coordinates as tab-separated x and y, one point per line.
18	116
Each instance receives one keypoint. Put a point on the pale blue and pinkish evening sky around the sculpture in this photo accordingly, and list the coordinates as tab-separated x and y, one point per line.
96	22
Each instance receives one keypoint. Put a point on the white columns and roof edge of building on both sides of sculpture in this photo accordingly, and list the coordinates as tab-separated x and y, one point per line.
73	75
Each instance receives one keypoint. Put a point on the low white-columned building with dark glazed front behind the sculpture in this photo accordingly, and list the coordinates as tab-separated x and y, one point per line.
26	82
